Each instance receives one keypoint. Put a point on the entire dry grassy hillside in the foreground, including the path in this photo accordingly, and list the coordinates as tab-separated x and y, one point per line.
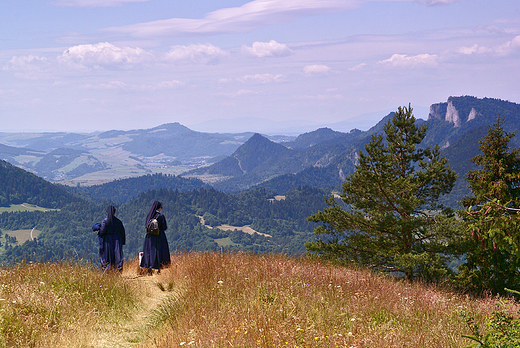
227	300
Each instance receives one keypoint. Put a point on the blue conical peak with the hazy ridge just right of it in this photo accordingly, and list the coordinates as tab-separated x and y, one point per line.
265	161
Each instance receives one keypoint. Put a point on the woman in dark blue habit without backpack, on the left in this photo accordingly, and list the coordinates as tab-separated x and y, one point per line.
113	234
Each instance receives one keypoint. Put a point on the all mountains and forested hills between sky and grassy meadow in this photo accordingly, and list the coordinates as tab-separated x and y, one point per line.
269	185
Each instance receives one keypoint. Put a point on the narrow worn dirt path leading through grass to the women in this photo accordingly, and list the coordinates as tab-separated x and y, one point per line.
132	331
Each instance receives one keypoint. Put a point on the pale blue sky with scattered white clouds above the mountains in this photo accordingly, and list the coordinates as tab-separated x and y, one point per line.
272	66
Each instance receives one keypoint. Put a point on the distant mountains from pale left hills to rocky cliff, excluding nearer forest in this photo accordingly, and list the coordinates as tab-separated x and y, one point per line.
236	162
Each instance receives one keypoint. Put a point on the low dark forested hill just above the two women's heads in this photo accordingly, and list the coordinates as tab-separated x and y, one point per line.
123	190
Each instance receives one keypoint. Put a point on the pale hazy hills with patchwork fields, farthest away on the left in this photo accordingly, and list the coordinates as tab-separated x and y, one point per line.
71	157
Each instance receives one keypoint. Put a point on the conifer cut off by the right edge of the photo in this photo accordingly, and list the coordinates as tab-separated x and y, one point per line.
492	215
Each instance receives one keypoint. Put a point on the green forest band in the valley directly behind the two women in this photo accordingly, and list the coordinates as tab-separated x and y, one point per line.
67	233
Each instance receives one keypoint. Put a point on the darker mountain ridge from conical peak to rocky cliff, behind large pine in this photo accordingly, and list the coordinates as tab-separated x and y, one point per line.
323	158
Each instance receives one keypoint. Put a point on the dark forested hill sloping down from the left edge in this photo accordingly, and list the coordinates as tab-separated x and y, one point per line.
18	186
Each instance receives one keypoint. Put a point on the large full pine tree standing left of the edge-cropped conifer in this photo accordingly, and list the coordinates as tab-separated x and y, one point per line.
388	221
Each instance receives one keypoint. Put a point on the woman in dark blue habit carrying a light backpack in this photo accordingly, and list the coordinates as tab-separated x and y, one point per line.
156	252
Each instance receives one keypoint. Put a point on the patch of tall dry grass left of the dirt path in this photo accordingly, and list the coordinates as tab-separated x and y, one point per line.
58	305
